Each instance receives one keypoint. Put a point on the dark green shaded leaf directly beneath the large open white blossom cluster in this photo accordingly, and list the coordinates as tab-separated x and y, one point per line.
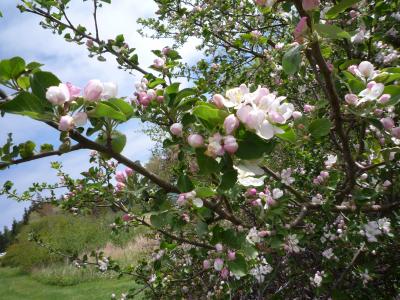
251	146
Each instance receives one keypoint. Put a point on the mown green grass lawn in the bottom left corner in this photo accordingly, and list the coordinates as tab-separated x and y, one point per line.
15	285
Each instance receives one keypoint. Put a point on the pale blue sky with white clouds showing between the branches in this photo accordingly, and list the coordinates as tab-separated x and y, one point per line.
21	35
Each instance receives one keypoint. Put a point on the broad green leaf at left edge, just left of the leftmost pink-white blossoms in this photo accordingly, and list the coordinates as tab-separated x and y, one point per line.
25	104
